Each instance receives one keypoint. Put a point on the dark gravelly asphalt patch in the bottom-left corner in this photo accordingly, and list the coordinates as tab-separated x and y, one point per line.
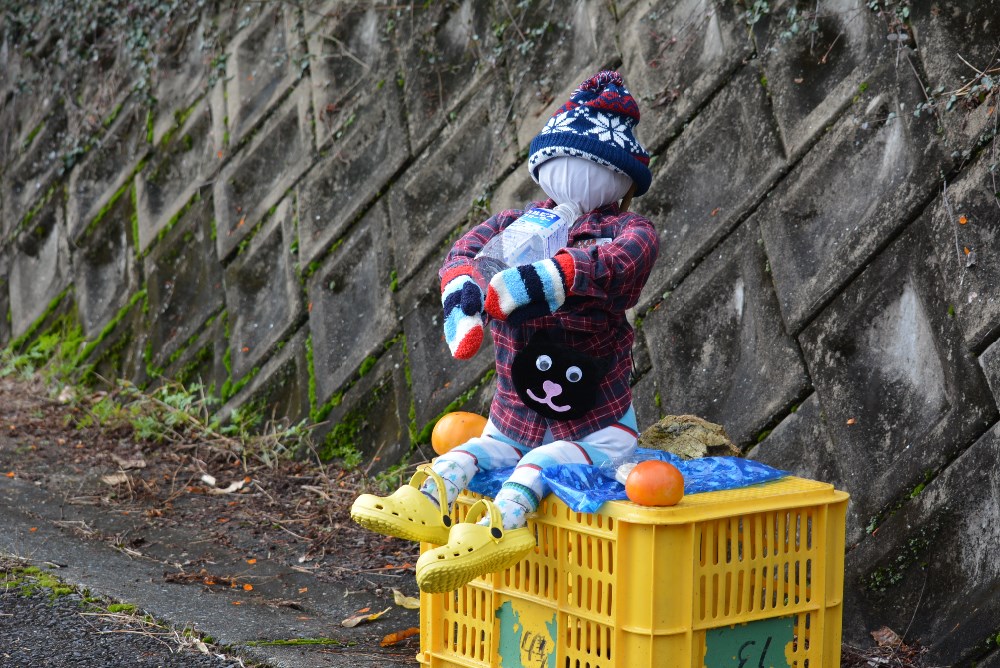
40	628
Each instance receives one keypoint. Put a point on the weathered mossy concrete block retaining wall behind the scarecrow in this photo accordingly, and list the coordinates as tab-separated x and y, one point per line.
257	197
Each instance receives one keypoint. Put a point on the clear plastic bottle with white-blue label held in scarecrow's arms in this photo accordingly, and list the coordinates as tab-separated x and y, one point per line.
538	234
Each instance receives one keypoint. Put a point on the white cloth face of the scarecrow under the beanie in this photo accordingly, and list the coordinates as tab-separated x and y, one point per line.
582	183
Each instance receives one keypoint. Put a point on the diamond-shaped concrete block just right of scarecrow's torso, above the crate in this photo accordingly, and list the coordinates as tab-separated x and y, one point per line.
717	345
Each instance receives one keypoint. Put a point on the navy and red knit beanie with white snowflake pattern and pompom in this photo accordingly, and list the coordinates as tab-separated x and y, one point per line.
597	124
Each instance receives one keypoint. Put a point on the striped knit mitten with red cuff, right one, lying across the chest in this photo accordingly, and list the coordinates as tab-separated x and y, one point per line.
530	291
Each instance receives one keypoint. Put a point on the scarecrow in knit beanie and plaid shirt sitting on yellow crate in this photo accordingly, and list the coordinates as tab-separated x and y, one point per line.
563	344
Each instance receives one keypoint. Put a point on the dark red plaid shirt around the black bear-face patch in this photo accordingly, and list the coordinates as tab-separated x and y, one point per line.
613	254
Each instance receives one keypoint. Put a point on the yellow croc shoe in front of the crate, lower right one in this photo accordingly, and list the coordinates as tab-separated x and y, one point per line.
473	550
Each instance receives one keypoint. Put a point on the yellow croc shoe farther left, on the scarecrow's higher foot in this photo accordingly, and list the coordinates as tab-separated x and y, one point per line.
407	513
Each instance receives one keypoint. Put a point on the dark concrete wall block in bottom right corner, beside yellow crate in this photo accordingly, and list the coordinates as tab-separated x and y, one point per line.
931	568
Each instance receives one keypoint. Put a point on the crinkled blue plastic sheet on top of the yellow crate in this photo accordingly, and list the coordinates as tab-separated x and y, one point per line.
585	488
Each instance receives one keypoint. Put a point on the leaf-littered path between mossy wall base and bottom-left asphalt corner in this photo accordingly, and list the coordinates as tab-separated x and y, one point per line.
275	539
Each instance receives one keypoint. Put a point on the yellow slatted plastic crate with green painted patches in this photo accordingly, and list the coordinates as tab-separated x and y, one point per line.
748	577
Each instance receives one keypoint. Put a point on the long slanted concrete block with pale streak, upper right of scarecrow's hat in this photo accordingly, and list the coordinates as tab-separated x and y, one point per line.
816	236
